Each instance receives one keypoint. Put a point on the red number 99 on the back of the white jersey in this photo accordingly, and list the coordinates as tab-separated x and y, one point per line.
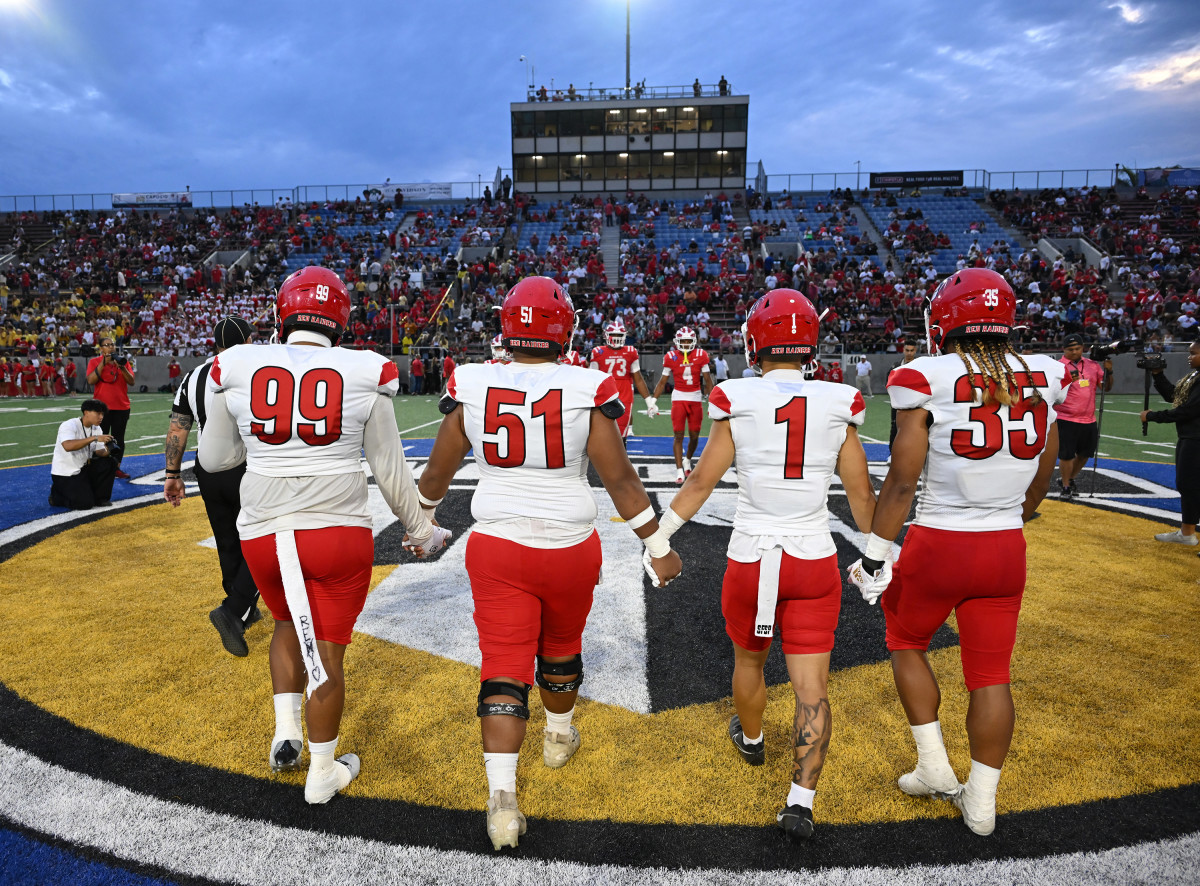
314	409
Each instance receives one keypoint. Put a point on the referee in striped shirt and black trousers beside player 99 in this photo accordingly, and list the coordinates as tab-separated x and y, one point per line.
219	490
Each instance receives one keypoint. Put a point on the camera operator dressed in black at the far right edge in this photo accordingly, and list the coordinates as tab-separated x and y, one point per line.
1185	414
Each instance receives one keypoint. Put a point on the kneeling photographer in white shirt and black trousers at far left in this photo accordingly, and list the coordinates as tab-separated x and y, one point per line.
82	471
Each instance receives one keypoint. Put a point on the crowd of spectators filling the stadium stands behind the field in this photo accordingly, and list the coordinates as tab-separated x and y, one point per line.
148	279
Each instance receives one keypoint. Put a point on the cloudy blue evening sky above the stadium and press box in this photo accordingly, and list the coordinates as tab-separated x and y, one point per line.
141	95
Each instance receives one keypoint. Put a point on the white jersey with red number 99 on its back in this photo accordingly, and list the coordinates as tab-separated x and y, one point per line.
302	410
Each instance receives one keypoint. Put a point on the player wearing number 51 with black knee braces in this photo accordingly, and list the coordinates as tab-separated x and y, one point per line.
535	556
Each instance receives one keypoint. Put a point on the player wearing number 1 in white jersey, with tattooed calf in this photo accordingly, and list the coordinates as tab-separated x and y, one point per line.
789	435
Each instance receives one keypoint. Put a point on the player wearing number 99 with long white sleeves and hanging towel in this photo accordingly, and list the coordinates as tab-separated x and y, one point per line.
299	414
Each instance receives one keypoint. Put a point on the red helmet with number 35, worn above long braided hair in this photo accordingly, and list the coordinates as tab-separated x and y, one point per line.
976	303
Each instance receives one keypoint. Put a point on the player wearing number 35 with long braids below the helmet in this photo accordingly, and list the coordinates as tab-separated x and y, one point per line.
976	424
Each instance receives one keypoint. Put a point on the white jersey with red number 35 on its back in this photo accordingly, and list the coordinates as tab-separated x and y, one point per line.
982	459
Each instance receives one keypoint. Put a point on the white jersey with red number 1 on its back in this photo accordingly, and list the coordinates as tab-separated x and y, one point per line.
788	433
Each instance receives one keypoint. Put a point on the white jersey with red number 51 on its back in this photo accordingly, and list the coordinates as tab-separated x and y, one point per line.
529	427
